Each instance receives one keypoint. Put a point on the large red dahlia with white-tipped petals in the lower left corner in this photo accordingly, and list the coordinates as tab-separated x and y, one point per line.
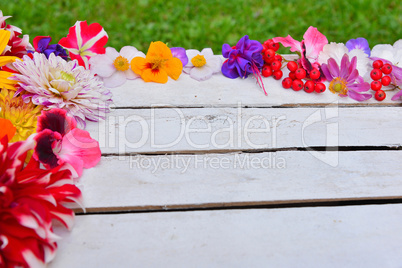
30	199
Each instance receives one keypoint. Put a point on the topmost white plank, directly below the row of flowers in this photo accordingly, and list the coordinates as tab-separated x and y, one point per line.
220	91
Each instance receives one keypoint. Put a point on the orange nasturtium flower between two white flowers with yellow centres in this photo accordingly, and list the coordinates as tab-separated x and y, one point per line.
158	64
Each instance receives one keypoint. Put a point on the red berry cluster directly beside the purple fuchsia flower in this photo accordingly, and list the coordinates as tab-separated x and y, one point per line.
272	60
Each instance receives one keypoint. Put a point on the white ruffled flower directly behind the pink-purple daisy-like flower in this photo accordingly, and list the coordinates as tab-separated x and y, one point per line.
336	51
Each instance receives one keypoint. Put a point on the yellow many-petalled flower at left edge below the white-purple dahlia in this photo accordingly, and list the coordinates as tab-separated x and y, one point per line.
22	115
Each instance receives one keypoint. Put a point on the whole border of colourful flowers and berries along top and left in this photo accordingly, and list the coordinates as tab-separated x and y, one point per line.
49	91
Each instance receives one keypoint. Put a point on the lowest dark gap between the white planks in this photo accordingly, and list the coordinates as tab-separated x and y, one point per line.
360	201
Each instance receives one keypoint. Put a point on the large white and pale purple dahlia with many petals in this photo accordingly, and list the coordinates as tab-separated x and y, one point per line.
55	83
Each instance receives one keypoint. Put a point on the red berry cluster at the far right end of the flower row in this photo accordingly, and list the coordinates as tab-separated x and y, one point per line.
379	79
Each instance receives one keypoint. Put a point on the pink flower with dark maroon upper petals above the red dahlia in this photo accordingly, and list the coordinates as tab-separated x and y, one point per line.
59	141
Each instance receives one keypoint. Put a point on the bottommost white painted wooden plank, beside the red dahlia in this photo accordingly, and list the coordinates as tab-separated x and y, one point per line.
361	236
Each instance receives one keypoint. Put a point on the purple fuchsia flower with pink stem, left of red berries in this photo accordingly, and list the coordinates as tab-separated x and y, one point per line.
243	59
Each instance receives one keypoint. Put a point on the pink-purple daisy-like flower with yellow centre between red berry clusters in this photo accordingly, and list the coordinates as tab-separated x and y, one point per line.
345	80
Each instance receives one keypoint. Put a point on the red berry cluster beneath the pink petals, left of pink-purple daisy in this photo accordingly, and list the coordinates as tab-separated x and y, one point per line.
296	76
